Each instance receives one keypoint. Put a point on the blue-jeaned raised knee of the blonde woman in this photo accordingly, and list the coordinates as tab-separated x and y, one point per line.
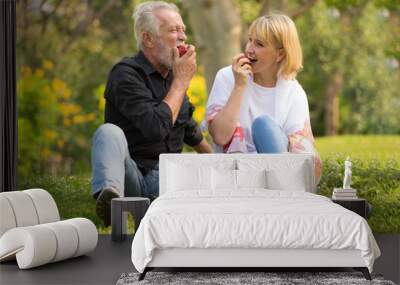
268	136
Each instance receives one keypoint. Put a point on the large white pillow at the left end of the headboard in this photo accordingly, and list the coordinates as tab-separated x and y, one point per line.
188	177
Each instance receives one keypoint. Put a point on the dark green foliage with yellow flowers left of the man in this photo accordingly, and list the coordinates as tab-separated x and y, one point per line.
81	50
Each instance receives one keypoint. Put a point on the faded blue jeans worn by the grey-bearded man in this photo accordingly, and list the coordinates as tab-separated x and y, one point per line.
113	166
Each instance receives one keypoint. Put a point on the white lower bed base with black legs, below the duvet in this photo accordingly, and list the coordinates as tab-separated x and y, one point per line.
245	259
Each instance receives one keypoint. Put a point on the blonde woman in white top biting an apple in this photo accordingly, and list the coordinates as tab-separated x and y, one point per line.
256	105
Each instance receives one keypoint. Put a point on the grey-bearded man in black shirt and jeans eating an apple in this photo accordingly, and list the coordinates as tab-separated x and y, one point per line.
147	111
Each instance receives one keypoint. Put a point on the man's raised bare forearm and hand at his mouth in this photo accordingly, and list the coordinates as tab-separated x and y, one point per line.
183	69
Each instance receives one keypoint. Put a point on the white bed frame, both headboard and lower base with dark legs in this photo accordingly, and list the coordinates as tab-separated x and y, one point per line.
246	258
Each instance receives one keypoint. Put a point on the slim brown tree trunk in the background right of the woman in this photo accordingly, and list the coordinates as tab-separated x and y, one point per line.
332	93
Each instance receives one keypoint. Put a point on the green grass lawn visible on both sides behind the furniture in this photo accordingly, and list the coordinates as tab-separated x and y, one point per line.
376	174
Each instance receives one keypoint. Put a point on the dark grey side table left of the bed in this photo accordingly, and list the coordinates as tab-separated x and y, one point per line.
137	206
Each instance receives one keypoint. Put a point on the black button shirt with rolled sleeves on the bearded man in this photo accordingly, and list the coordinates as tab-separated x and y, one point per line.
134	95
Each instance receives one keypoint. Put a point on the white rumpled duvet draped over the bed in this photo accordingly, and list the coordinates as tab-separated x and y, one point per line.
253	218
